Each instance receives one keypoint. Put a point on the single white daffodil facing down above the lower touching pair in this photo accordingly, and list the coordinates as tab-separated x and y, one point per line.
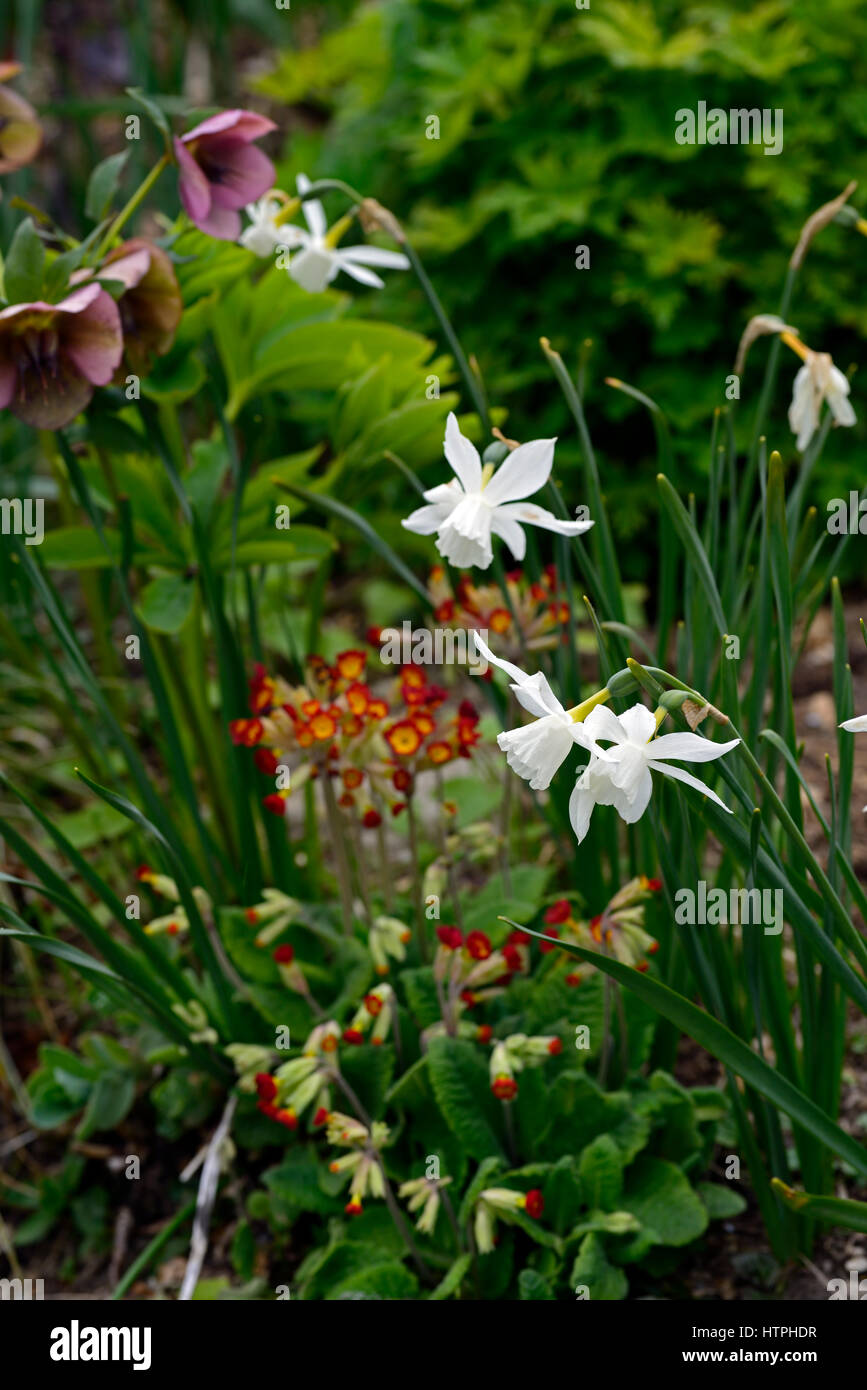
479	502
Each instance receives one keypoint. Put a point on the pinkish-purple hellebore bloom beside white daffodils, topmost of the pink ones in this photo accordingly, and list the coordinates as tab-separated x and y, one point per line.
220	170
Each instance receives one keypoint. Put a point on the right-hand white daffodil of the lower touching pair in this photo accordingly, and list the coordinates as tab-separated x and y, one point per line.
620	776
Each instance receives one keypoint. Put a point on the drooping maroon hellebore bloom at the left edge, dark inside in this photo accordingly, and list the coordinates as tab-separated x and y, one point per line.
52	357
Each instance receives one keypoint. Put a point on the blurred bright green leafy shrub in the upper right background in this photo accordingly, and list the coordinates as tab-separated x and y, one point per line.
558	130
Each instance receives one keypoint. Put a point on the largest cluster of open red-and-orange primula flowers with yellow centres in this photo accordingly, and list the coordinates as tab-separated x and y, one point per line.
340	729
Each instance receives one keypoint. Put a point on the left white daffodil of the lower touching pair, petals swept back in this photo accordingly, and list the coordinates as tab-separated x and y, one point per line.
536	751
